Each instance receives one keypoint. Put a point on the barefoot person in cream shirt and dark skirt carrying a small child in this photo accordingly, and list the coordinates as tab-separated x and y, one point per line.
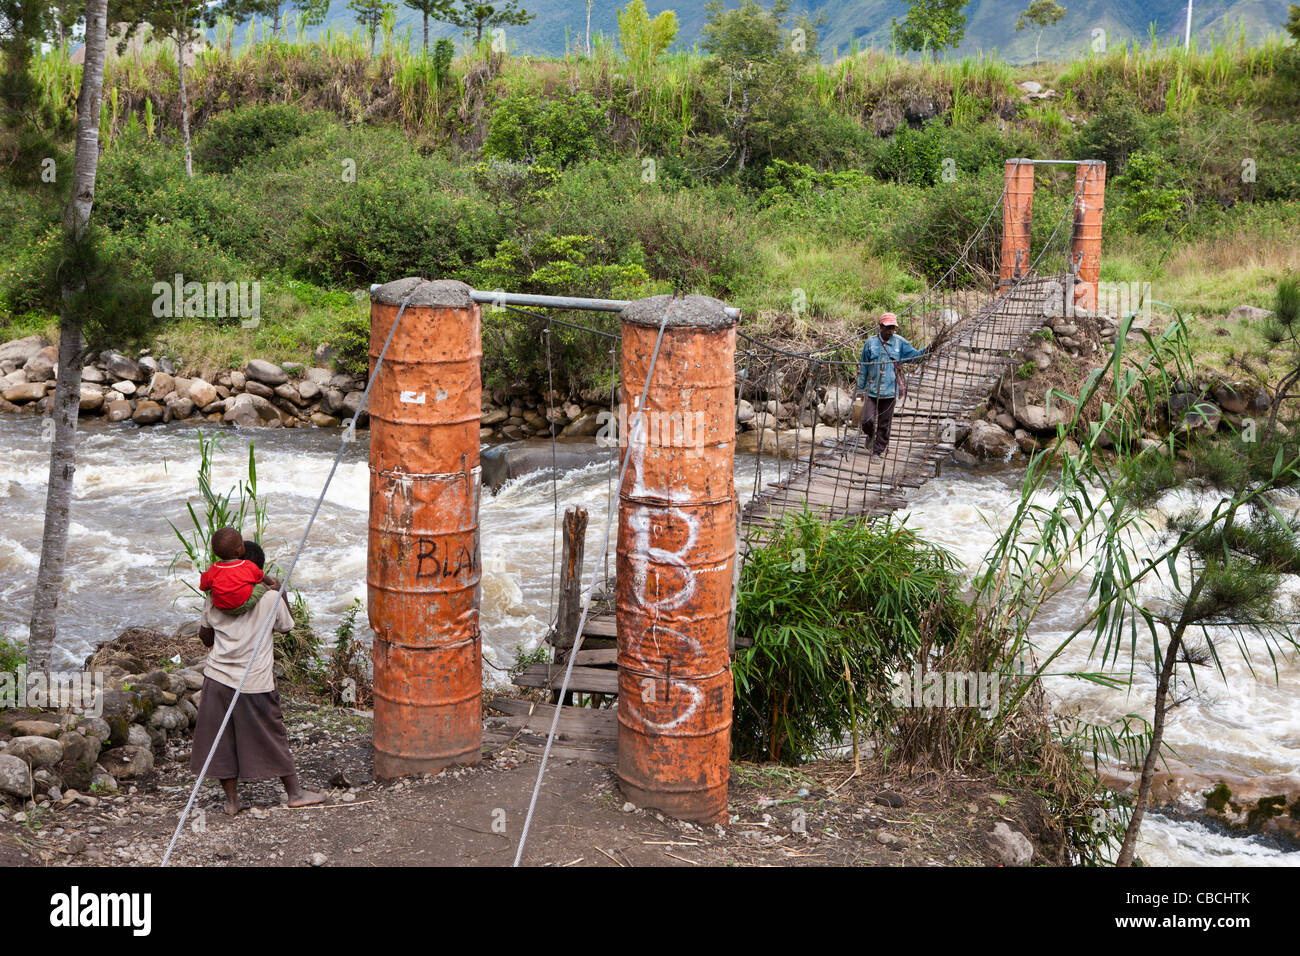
254	745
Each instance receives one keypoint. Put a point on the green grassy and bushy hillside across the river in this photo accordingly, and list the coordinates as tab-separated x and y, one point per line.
751	174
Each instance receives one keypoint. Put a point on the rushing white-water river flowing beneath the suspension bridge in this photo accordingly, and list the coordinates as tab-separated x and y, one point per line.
133	483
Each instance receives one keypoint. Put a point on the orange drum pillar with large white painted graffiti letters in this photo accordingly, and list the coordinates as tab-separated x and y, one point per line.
677	556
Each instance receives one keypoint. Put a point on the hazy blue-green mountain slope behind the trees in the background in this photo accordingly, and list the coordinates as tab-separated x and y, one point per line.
990	24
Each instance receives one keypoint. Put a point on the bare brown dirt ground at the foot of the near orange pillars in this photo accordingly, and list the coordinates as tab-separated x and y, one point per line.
473	817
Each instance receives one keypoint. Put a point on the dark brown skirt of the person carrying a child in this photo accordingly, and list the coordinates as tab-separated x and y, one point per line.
255	745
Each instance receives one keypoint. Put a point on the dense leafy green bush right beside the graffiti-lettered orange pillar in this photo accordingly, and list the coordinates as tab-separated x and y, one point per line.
833	613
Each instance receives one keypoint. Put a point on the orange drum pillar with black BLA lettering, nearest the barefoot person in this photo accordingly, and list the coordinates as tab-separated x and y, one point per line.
424	565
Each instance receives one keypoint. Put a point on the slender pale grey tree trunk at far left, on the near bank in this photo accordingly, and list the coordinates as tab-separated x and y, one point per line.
63	453
